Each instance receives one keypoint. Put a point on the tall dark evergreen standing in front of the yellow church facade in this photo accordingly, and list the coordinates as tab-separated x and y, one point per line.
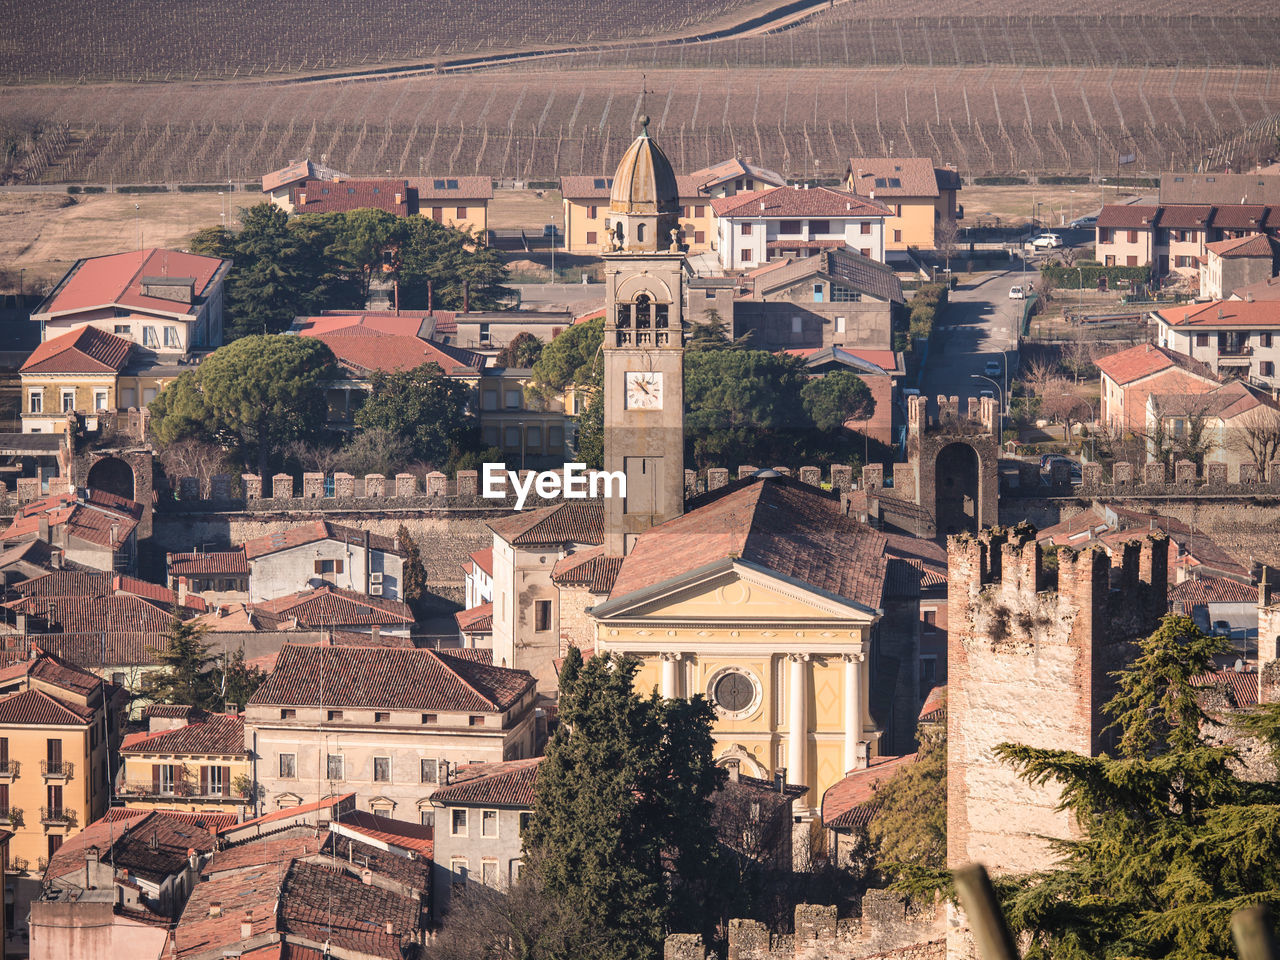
623	822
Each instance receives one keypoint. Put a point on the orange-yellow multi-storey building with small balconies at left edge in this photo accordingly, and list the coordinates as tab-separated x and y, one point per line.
57	724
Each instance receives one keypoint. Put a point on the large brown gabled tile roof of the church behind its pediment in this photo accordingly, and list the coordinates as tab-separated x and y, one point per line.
779	524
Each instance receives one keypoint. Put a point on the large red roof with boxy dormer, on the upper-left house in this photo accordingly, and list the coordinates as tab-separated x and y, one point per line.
118	281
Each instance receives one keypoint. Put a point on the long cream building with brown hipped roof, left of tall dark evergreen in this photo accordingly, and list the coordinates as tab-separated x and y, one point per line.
382	723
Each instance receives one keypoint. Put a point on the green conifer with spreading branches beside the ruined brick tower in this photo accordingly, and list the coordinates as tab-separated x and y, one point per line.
1174	839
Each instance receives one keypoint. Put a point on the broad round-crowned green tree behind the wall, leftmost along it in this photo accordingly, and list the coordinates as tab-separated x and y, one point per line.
255	395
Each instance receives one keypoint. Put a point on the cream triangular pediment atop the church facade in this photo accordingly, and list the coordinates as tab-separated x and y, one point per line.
734	592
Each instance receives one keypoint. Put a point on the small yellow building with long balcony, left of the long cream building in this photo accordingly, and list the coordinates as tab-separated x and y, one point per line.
188	761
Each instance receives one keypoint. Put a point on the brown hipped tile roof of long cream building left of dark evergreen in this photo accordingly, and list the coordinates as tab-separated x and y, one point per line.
390	678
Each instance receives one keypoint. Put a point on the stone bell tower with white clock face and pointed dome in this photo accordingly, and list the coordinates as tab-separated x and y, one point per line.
644	356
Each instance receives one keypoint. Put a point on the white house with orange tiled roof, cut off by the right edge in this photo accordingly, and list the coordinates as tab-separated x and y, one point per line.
1236	339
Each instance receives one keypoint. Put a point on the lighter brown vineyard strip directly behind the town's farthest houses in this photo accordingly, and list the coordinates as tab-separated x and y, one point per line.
524	125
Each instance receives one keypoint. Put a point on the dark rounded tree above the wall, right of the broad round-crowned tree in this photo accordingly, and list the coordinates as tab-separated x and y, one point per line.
426	408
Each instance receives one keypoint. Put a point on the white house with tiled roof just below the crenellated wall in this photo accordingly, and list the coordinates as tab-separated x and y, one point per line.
312	555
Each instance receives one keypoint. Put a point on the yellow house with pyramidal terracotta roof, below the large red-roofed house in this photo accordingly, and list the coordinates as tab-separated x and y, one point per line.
75	373
